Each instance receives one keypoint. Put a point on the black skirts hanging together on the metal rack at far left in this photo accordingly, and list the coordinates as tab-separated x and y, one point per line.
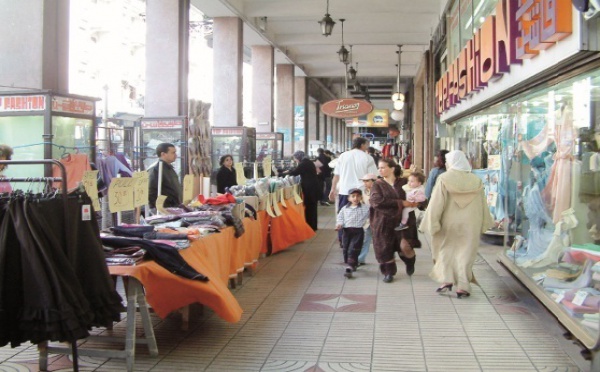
51	288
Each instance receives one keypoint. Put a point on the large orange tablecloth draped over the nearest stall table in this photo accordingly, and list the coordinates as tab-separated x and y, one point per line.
217	256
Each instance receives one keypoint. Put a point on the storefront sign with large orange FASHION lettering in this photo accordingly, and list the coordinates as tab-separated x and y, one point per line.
519	30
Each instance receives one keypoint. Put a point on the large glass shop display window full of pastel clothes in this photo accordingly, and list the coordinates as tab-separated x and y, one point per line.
538	154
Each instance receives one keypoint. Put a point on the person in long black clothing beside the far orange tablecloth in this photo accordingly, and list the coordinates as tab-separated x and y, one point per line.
307	170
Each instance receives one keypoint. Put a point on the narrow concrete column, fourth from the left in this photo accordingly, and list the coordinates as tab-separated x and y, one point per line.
263	84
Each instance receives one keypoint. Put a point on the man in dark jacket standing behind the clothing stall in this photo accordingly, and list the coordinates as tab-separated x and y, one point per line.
170	187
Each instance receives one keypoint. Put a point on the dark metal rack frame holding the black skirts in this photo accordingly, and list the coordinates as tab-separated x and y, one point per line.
63	181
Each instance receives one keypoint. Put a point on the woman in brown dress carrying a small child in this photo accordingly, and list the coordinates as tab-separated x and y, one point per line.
387	201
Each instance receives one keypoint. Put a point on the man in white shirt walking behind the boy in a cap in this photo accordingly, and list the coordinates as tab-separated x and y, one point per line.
351	167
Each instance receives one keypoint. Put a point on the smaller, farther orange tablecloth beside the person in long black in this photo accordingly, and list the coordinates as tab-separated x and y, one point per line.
289	228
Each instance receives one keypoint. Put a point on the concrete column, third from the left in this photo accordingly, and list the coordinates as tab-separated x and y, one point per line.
227	71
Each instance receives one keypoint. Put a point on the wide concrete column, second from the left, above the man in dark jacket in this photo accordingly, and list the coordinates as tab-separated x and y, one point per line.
167	52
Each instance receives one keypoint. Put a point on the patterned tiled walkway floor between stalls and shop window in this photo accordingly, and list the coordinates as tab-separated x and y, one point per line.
301	314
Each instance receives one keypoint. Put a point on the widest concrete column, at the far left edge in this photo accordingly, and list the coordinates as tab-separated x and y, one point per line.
34	45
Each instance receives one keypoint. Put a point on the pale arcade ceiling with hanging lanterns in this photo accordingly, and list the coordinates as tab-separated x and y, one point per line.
374	29
